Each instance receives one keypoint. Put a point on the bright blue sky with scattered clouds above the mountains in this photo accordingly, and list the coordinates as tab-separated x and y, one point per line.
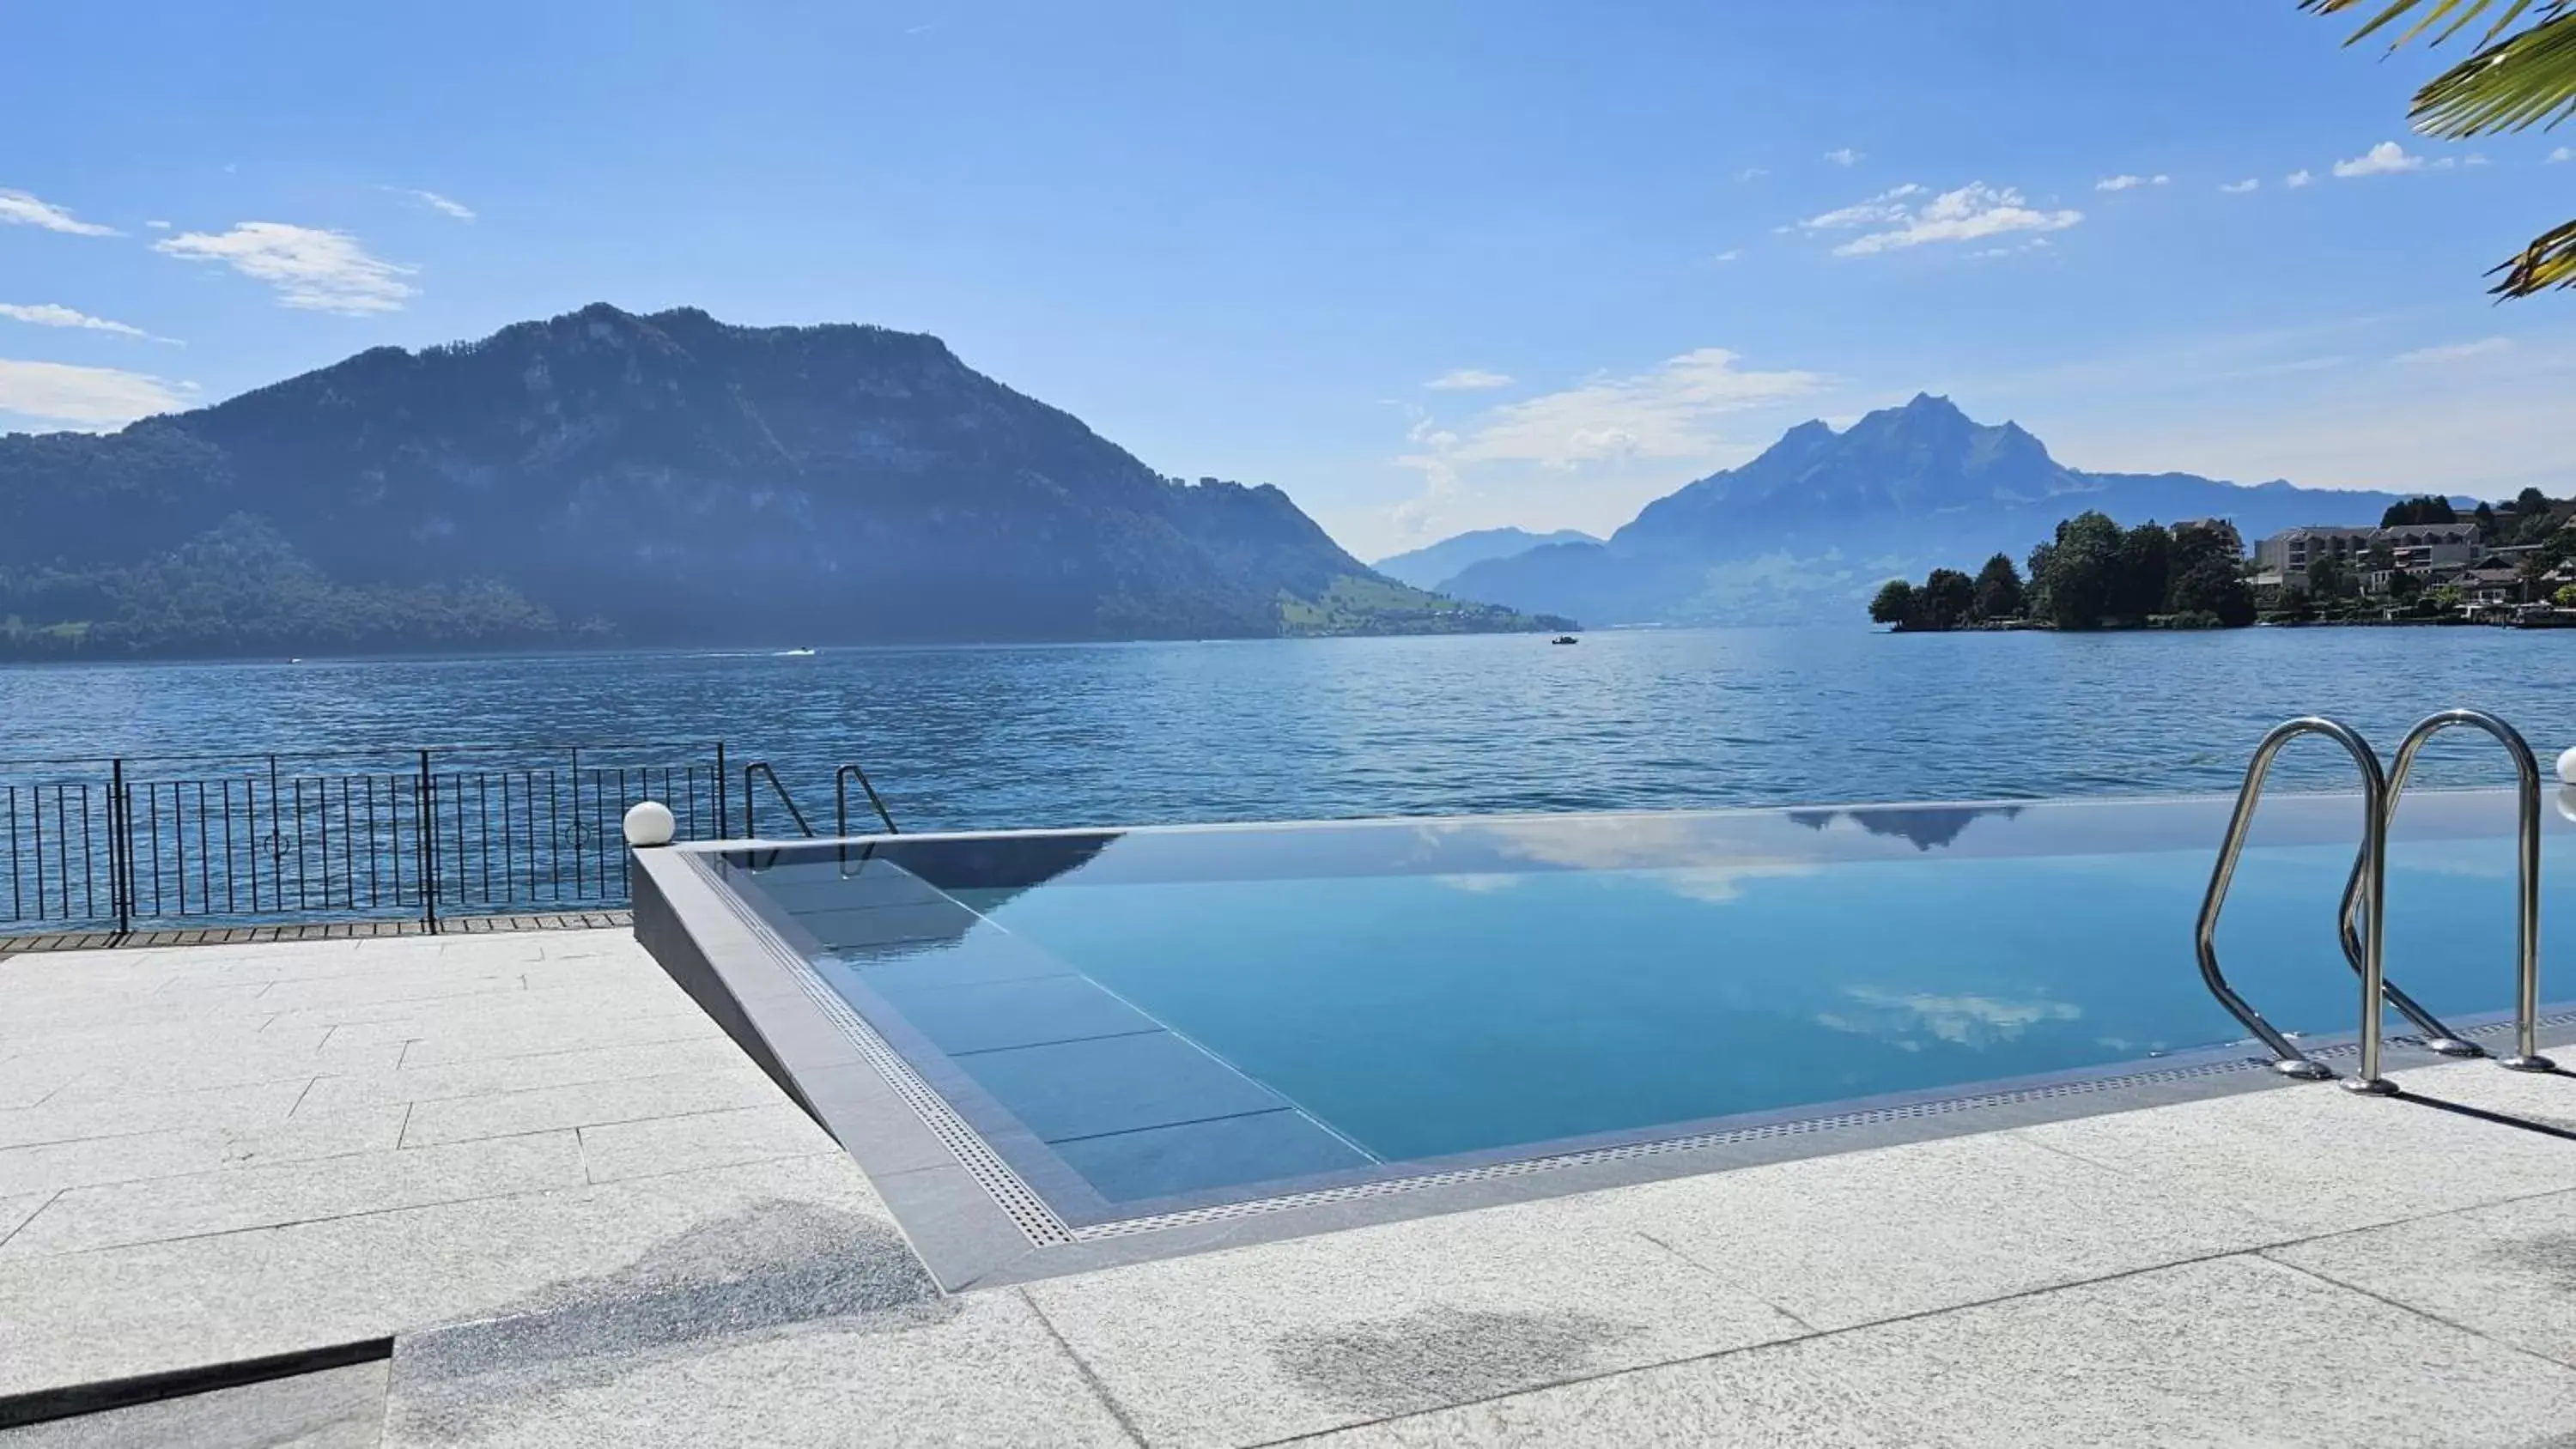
1426	264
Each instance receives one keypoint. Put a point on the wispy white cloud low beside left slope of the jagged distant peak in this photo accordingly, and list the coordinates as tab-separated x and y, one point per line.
1660	413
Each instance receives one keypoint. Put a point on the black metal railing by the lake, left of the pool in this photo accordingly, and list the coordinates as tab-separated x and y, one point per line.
359	835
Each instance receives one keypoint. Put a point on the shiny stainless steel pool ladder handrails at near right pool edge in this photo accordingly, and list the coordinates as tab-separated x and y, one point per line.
2366	897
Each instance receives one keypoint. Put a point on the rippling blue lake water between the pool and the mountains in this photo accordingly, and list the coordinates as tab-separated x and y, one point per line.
1372	727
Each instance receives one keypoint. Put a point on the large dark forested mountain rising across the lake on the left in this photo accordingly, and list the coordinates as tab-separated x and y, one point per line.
650	480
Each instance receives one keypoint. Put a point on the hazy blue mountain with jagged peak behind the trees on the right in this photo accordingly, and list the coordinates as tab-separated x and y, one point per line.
1823	519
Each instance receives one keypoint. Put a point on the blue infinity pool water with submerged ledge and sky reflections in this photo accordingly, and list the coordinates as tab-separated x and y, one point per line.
1181	1018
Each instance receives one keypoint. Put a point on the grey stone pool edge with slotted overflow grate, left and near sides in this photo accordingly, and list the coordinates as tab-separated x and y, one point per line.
978	1224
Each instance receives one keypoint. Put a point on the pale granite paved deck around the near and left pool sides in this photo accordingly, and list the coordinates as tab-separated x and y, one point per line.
586	1219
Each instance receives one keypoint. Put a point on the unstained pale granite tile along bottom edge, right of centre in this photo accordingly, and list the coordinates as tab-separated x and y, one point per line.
2219	1352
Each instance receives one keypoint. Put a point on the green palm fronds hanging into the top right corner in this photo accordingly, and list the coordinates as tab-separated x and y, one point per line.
2508	84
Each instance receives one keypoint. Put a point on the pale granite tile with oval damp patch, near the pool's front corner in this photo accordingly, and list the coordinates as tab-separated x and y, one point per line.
1325	1332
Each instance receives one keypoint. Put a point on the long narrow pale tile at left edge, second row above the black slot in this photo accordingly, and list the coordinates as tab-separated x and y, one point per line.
233	1201
